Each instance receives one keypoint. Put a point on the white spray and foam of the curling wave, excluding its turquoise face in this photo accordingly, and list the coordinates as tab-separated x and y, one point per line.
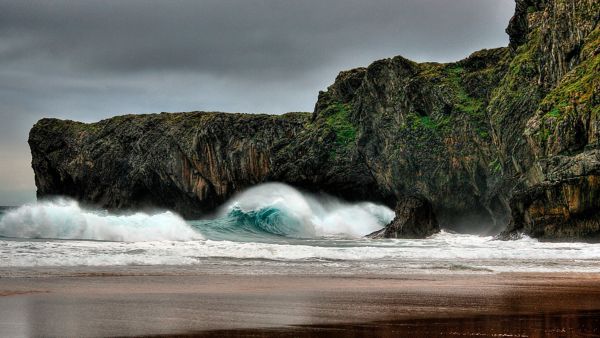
317	215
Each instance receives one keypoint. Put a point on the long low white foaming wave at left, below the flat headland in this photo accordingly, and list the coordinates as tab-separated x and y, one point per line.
65	219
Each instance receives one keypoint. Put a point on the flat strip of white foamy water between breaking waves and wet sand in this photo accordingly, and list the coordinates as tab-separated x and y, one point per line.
444	252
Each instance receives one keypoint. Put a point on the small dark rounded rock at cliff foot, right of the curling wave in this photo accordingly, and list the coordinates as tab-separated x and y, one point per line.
414	219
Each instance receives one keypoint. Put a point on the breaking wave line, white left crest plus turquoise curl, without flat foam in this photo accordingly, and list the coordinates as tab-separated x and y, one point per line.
263	212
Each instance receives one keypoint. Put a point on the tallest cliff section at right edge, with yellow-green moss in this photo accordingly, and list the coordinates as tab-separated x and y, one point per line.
557	166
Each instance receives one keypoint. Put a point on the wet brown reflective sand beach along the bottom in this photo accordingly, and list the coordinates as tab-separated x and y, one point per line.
116	304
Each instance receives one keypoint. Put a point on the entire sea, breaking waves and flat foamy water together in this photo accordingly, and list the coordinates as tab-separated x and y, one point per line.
271	228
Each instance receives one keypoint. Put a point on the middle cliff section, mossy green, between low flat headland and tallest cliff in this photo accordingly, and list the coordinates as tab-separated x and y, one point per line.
422	129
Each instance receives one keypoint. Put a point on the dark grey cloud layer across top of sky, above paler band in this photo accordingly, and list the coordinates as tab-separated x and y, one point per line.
247	36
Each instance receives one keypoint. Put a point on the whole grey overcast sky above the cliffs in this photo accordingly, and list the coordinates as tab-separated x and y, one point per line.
89	60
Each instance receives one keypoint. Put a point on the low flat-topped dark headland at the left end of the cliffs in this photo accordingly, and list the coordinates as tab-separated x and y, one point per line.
189	162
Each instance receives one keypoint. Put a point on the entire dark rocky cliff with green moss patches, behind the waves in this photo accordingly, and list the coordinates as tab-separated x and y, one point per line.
505	136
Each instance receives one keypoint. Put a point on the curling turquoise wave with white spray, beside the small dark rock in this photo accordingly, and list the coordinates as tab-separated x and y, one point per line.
279	209
